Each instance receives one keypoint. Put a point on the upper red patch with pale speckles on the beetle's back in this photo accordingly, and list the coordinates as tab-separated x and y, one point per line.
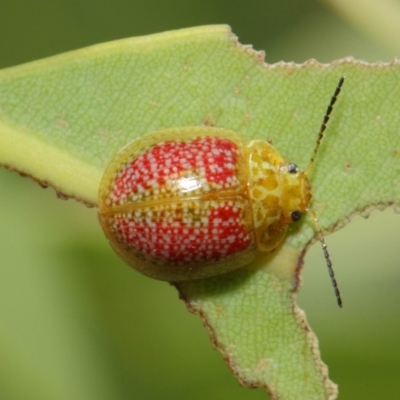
211	157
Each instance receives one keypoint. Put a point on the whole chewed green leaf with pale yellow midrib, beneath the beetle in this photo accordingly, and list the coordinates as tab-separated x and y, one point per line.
63	118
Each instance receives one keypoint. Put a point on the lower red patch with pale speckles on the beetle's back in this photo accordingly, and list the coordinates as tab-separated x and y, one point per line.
177	242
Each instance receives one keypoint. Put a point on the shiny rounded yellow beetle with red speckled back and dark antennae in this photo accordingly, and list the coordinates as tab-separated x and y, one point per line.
194	202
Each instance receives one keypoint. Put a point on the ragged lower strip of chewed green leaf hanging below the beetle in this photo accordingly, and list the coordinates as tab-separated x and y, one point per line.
262	335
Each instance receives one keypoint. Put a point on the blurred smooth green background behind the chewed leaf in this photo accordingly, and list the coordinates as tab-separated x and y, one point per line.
76	323
